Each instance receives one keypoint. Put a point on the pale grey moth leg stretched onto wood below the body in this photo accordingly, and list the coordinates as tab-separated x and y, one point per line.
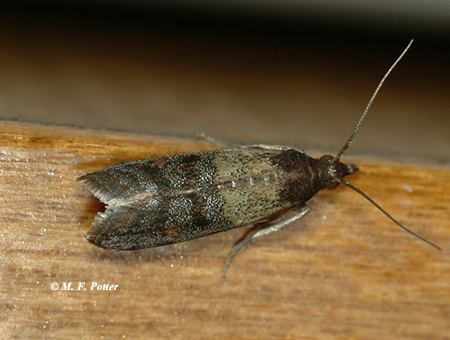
264	229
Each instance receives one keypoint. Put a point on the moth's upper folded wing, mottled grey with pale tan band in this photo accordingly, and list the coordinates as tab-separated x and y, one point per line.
126	180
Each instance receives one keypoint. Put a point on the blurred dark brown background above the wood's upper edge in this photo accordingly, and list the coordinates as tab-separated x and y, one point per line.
280	72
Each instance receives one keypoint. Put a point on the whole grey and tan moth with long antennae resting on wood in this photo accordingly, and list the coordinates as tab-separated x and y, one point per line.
168	199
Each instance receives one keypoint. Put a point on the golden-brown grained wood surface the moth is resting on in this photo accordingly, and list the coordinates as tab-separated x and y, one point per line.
342	272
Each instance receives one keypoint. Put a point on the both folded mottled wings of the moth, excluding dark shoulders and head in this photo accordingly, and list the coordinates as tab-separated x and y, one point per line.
168	199
